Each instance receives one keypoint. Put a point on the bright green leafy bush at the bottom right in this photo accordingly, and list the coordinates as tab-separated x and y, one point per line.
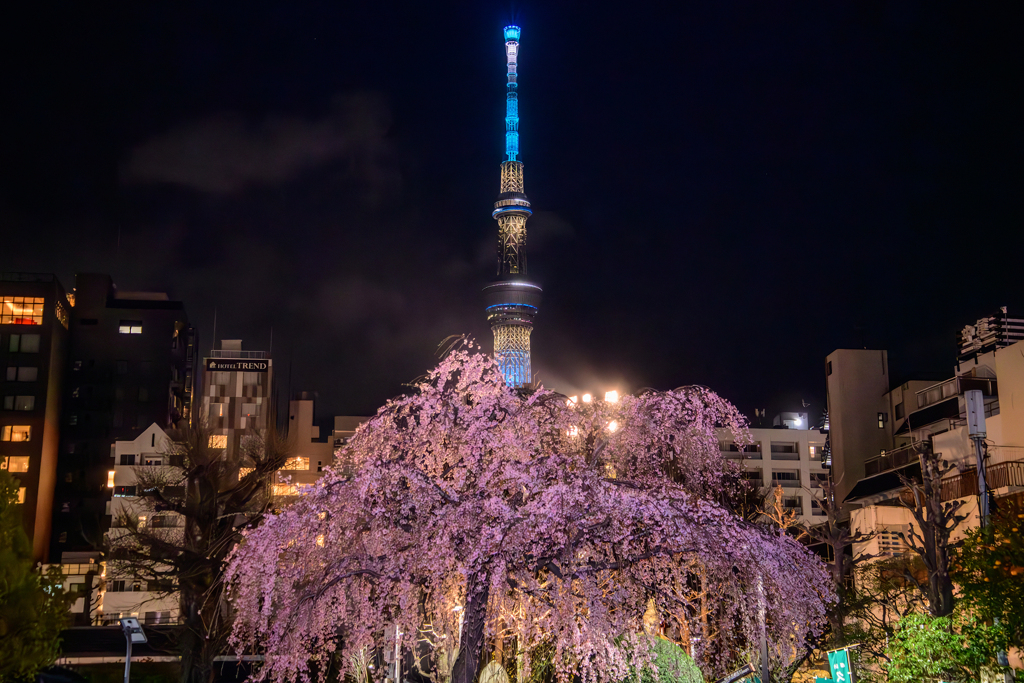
948	649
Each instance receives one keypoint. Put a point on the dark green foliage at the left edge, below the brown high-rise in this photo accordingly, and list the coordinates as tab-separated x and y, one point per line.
33	609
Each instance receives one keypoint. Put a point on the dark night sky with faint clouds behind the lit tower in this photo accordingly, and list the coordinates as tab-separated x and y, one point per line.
724	194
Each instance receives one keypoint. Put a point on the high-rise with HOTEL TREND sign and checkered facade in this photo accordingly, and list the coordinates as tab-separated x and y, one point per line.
237	390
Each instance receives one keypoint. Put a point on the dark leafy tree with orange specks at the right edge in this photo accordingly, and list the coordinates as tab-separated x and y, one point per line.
990	570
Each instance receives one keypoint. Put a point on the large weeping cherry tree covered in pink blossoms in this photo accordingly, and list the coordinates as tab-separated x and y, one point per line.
471	511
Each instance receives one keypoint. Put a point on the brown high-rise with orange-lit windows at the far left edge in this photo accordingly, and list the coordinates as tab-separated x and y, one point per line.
34	319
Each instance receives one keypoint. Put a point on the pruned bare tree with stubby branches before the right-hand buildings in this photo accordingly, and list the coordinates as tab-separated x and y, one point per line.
936	522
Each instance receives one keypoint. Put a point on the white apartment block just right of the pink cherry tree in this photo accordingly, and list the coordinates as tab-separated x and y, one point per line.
789	458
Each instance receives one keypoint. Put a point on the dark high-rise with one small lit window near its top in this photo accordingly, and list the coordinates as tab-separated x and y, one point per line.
132	364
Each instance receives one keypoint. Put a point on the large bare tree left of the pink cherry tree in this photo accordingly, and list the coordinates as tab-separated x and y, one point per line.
214	500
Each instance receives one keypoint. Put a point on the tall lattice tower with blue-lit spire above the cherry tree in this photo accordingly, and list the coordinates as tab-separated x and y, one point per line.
513	301
